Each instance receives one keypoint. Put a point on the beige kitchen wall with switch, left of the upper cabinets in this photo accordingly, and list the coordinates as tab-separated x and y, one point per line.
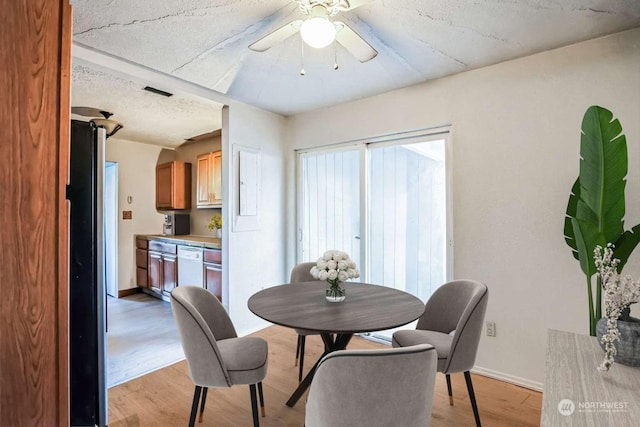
136	178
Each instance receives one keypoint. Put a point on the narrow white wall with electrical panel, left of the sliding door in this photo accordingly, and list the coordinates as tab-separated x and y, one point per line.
253	259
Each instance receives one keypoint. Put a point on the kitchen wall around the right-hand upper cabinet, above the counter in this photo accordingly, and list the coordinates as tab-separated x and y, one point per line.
189	153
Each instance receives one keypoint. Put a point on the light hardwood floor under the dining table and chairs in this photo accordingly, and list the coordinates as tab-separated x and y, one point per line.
163	398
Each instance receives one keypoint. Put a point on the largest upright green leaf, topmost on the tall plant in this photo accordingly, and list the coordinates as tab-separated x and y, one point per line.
603	168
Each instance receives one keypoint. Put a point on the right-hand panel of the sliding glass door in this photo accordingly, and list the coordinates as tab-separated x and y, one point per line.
407	211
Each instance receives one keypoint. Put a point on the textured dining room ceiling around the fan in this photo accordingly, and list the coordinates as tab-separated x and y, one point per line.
205	42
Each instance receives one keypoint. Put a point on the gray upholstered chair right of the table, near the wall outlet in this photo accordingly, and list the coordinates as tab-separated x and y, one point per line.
452	323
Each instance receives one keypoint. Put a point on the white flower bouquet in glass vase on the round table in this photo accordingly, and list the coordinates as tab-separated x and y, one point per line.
335	267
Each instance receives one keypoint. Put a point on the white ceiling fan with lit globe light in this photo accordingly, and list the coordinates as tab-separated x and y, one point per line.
318	30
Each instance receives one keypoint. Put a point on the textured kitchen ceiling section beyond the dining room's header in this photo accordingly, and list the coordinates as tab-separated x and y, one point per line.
146	117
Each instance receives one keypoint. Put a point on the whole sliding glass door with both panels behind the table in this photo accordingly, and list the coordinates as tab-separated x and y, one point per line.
386	204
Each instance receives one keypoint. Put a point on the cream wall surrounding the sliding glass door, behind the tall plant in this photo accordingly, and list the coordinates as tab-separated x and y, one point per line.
516	133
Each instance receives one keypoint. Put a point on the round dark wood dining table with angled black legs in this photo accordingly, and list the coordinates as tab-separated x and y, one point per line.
367	308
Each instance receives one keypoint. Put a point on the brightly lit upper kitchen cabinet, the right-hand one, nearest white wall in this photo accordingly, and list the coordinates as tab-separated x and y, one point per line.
209	180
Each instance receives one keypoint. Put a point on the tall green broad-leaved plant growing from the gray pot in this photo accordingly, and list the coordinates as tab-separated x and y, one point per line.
596	208
